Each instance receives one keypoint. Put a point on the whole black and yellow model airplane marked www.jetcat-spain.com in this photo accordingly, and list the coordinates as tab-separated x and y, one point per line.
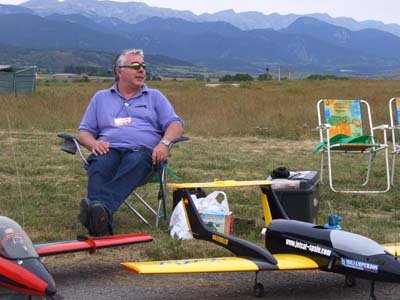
290	245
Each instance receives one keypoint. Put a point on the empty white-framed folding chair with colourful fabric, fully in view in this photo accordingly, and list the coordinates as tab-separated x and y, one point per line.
341	129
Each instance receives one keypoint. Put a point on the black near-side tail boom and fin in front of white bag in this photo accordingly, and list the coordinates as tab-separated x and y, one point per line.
237	246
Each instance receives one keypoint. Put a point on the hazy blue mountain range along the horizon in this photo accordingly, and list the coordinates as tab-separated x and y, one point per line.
305	43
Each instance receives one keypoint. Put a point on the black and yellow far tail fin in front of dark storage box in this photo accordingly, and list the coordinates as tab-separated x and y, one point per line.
272	207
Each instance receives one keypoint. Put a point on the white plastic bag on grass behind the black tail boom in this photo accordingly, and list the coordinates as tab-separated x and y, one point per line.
178	223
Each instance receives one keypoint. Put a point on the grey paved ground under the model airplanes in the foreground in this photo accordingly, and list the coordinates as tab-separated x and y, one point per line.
101	277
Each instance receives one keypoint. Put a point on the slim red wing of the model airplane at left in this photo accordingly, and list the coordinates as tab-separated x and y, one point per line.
91	244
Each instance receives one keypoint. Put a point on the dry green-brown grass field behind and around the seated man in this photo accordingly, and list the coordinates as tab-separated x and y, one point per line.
239	133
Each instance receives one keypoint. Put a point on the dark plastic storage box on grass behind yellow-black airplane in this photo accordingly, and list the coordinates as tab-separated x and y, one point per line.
299	194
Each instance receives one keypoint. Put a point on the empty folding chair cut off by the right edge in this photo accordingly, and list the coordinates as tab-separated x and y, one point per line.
394	110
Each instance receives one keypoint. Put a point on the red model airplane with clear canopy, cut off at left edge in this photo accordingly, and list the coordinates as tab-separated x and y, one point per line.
21	268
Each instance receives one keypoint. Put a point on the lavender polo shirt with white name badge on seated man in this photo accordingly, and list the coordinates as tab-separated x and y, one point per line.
133	123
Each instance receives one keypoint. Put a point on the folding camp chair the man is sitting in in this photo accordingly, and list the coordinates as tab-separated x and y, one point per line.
71	145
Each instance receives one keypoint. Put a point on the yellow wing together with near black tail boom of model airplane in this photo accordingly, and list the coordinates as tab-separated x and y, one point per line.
249	257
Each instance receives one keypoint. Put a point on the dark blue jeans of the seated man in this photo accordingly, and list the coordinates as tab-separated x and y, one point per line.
113	176
